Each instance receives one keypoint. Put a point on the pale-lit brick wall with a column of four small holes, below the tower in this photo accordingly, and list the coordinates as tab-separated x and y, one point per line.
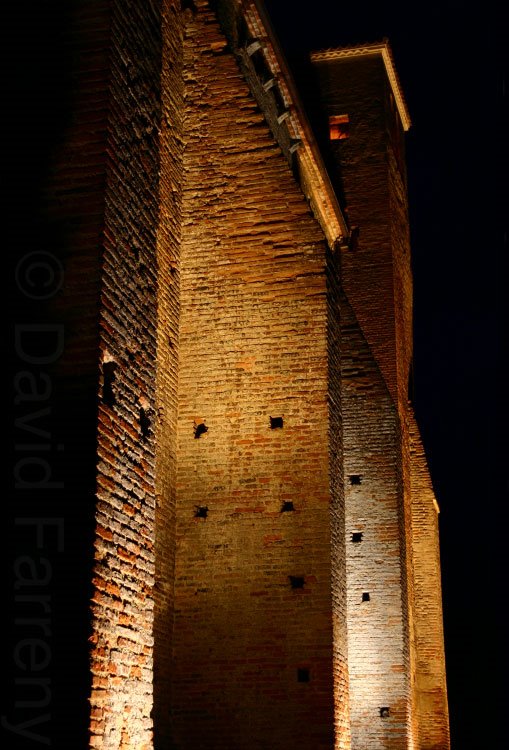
378	658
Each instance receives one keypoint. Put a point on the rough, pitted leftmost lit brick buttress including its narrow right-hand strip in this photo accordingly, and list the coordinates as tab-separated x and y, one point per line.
137	410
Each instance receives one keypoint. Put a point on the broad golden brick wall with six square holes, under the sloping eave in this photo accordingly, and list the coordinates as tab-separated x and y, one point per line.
253	345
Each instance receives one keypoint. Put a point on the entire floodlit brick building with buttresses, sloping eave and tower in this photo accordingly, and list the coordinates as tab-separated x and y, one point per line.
266	570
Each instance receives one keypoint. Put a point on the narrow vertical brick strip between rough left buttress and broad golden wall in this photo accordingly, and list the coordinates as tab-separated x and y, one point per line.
168	265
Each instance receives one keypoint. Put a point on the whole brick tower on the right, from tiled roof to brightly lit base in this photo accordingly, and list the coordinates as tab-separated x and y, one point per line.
397	691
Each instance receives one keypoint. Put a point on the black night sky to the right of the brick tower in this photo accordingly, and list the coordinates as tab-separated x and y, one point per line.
448	58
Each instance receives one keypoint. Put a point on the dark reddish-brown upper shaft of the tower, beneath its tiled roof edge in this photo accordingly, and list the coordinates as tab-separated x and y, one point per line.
376	276
